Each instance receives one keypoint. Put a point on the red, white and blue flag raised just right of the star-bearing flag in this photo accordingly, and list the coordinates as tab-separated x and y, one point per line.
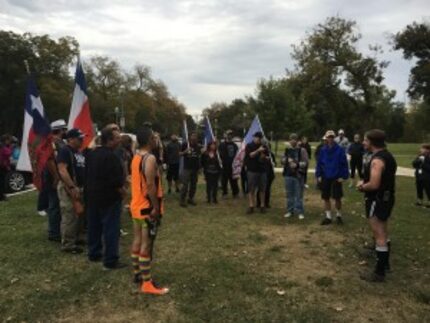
80	116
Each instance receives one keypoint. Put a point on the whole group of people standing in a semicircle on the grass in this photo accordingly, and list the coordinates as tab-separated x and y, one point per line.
88	188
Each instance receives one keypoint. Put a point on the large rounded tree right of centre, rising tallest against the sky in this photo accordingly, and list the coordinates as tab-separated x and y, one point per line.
337	82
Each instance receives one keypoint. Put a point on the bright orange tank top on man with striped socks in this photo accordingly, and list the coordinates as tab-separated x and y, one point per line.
141	206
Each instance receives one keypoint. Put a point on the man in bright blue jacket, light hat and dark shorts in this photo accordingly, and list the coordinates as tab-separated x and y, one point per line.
331	171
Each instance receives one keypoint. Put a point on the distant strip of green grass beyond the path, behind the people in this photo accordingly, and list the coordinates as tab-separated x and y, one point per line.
404	153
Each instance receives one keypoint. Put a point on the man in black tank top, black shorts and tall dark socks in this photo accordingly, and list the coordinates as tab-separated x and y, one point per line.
379	191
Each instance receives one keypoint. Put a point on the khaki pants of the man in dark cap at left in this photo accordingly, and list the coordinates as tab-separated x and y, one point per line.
71	223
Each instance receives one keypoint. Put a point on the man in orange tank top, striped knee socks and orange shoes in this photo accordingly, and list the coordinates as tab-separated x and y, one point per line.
146	209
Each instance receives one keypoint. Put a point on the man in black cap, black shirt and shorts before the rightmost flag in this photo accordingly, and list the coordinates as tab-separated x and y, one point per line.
256	155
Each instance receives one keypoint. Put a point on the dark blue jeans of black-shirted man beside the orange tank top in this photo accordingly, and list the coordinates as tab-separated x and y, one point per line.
104	224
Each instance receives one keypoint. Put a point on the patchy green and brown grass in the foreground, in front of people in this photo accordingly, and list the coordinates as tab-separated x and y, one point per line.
224	266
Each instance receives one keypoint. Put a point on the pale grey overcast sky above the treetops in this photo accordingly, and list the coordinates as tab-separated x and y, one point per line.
208	50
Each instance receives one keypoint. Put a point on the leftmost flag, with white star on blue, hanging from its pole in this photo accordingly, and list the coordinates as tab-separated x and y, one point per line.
36	147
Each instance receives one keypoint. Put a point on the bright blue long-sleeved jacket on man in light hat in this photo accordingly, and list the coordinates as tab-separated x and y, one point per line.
332	163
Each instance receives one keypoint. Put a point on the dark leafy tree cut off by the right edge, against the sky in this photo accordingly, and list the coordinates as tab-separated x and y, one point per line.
414	41
